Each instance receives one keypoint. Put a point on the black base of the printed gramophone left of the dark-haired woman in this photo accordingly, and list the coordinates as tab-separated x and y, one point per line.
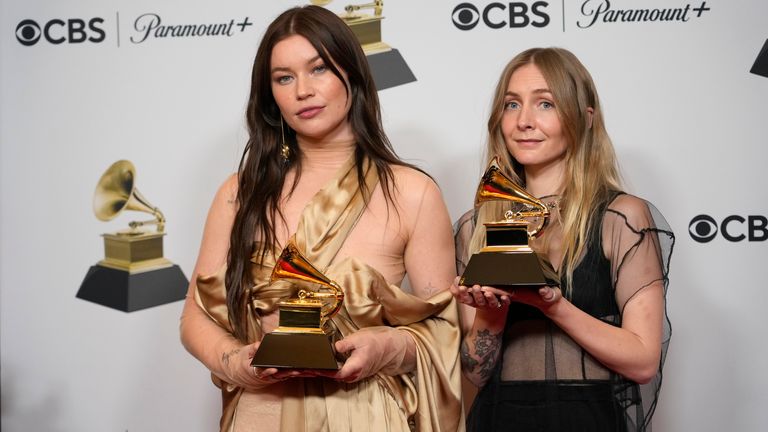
128	292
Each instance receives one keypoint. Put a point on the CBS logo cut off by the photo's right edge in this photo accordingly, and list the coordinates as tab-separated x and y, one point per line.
734	228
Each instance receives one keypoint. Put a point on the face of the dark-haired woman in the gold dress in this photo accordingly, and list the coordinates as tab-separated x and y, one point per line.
312	100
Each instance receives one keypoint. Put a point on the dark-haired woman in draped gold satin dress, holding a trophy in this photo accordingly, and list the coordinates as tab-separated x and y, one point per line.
318	171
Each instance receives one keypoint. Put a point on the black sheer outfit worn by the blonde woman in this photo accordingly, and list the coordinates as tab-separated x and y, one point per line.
544	381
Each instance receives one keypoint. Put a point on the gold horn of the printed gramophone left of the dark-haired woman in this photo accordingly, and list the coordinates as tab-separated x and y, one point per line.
116	191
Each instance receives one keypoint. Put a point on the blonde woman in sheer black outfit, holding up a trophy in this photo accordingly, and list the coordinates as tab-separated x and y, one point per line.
586	355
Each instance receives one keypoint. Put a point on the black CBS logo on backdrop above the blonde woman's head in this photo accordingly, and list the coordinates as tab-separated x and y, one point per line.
467	16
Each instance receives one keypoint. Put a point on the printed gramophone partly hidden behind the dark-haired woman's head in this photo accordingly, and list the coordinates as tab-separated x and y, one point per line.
388	67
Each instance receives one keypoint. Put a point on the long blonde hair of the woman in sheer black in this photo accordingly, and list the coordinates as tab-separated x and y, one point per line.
591	172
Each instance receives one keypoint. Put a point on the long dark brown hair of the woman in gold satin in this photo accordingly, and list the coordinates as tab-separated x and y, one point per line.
262	169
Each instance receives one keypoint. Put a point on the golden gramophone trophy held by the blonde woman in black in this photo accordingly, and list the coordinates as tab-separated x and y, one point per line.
507	260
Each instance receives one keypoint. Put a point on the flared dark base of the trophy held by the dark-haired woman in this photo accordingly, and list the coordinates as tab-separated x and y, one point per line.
295	350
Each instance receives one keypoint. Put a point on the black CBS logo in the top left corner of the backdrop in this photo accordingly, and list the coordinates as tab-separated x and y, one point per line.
57	31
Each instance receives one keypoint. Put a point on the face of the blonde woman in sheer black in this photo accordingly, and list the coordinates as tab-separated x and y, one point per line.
530	123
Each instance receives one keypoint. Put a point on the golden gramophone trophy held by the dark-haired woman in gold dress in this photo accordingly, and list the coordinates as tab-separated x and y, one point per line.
301	340
